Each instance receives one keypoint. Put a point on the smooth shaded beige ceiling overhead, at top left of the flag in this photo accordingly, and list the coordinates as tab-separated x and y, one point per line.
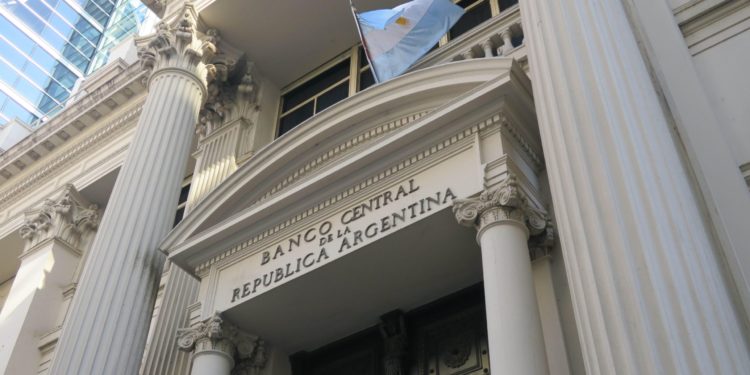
288	38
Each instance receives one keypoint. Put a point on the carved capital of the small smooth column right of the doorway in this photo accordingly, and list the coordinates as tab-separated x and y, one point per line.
507	202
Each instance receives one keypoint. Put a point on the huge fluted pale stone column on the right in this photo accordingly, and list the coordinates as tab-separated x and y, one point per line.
649	291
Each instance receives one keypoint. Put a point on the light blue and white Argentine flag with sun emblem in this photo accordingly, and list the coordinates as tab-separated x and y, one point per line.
394	39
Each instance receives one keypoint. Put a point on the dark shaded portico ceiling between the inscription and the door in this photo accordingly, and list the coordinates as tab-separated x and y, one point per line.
410	268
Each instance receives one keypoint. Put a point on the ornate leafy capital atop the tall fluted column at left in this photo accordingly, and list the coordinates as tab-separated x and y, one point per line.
178	46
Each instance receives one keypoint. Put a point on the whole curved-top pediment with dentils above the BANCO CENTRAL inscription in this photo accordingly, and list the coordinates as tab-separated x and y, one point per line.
330	151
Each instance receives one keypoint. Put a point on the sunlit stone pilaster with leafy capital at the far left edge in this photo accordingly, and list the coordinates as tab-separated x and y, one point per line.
55	236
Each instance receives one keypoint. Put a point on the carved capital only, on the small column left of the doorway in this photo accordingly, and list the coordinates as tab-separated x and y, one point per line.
215	334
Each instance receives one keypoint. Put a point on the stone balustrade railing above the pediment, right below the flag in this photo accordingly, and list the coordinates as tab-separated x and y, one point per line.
500	36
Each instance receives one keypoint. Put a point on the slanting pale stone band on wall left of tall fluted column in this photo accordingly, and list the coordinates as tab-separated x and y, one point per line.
56	166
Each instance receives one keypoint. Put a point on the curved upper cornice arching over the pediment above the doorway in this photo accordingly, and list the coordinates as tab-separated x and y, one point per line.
433	87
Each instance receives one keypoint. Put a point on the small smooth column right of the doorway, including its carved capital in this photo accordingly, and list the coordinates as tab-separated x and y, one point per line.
504	220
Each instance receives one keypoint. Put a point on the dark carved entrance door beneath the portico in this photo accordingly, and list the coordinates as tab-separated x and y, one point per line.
445	337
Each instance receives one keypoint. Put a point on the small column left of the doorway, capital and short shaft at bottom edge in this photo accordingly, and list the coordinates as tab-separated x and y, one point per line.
220	348
